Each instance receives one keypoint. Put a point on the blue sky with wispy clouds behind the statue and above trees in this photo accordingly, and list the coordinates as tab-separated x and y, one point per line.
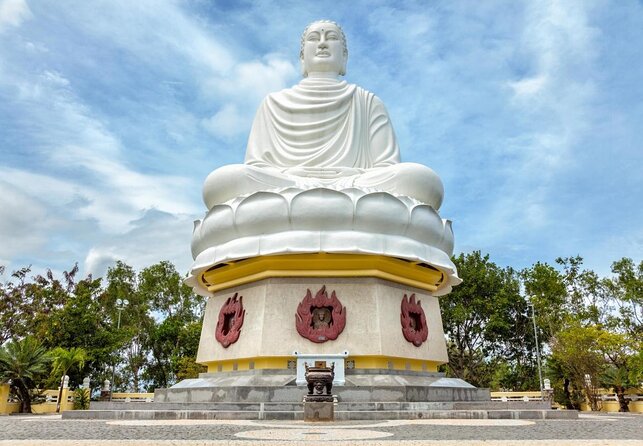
112	113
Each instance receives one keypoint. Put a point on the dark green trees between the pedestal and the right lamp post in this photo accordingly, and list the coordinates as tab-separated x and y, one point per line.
489	338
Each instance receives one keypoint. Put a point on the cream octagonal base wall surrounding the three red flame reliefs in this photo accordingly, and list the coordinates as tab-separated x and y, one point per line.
372	335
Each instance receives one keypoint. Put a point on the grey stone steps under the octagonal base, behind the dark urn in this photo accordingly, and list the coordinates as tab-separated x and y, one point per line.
365	396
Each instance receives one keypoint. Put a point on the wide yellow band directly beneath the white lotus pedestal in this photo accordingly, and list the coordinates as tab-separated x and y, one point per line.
240	272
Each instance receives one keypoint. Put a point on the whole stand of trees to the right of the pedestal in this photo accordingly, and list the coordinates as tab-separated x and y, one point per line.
589	328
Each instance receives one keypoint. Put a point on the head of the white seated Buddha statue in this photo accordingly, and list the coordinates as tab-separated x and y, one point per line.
323	49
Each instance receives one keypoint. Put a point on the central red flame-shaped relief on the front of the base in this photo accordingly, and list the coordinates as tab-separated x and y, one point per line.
320	318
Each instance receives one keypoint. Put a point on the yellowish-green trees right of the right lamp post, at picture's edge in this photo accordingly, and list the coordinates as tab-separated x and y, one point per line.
592	326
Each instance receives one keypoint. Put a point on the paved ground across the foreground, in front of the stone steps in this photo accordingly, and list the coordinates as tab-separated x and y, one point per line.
589	430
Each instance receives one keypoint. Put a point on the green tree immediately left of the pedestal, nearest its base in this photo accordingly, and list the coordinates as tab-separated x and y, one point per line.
160	327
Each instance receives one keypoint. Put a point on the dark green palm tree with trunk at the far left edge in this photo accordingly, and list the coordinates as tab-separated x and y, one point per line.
21	362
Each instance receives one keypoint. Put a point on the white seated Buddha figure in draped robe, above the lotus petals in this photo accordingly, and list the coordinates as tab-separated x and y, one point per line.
323	132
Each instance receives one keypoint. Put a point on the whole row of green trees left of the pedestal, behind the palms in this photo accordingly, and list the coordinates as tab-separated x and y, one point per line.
159	327
